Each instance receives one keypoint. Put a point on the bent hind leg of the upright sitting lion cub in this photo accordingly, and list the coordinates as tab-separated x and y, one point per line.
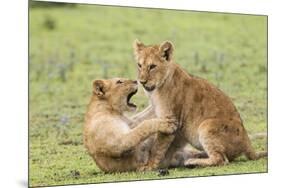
222	140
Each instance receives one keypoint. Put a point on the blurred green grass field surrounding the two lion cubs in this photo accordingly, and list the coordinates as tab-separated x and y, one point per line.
71	46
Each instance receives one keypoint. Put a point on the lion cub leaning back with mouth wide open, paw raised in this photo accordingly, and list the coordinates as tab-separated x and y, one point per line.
107	135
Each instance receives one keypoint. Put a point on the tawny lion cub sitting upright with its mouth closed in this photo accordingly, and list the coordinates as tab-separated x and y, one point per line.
206	118
